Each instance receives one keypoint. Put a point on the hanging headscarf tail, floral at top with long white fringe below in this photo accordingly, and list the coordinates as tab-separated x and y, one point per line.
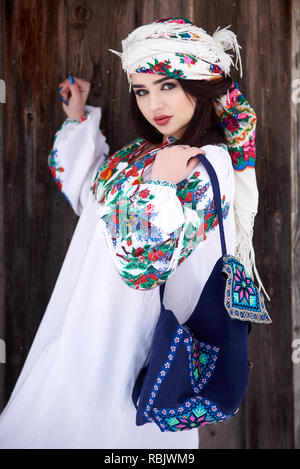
238	120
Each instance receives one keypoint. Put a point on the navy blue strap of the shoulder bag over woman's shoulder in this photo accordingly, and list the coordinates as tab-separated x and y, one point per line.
217	198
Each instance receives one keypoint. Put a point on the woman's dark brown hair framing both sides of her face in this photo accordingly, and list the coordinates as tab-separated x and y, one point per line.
204	127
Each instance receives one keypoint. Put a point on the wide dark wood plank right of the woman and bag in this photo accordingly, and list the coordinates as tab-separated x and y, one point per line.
264	30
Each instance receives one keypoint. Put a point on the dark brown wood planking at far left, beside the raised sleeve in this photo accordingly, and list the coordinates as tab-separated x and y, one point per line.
28	64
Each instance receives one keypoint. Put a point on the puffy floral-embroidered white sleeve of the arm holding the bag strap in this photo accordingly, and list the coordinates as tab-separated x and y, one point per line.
154	226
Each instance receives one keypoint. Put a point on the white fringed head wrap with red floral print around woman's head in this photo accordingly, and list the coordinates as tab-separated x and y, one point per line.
179	48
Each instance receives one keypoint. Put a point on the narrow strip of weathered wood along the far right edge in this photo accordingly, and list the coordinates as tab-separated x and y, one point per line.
295	196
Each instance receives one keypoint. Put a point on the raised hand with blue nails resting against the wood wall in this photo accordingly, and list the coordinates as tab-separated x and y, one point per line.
74	96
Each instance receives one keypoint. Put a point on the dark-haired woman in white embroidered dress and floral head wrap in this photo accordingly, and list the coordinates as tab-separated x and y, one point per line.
146	216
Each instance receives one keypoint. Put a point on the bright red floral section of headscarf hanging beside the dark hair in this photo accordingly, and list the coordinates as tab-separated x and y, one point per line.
238	120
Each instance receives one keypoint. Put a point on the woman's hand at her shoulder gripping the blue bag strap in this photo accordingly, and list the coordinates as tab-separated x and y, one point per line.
175	163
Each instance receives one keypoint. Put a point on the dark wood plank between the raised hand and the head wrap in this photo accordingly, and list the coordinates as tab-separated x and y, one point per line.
93	28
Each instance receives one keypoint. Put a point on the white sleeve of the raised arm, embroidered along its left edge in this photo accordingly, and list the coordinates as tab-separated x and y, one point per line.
79	148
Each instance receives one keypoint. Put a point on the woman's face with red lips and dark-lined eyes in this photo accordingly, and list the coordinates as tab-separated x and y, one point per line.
163	103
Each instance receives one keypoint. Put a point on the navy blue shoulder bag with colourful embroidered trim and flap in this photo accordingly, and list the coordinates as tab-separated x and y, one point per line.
198	371
